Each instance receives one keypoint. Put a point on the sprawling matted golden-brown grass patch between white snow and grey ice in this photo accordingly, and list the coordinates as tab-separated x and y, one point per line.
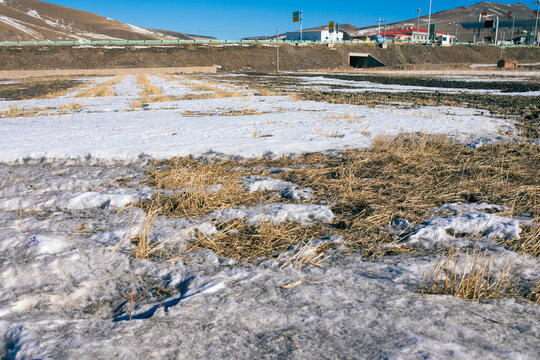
398	177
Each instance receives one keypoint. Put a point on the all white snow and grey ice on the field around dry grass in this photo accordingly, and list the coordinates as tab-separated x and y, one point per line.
67	269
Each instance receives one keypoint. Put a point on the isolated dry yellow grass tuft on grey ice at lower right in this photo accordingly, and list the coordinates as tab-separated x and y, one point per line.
472	276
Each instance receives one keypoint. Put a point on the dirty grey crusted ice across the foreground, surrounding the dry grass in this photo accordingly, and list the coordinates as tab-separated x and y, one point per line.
63	291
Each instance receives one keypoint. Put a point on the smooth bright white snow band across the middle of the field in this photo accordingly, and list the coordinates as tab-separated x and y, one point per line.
106	128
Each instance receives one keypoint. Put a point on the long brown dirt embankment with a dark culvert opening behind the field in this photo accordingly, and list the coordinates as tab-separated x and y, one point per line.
257	57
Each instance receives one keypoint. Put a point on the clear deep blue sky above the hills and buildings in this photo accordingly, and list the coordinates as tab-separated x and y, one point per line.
235	19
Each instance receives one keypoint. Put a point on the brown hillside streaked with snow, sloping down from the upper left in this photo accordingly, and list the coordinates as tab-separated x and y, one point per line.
33	20
